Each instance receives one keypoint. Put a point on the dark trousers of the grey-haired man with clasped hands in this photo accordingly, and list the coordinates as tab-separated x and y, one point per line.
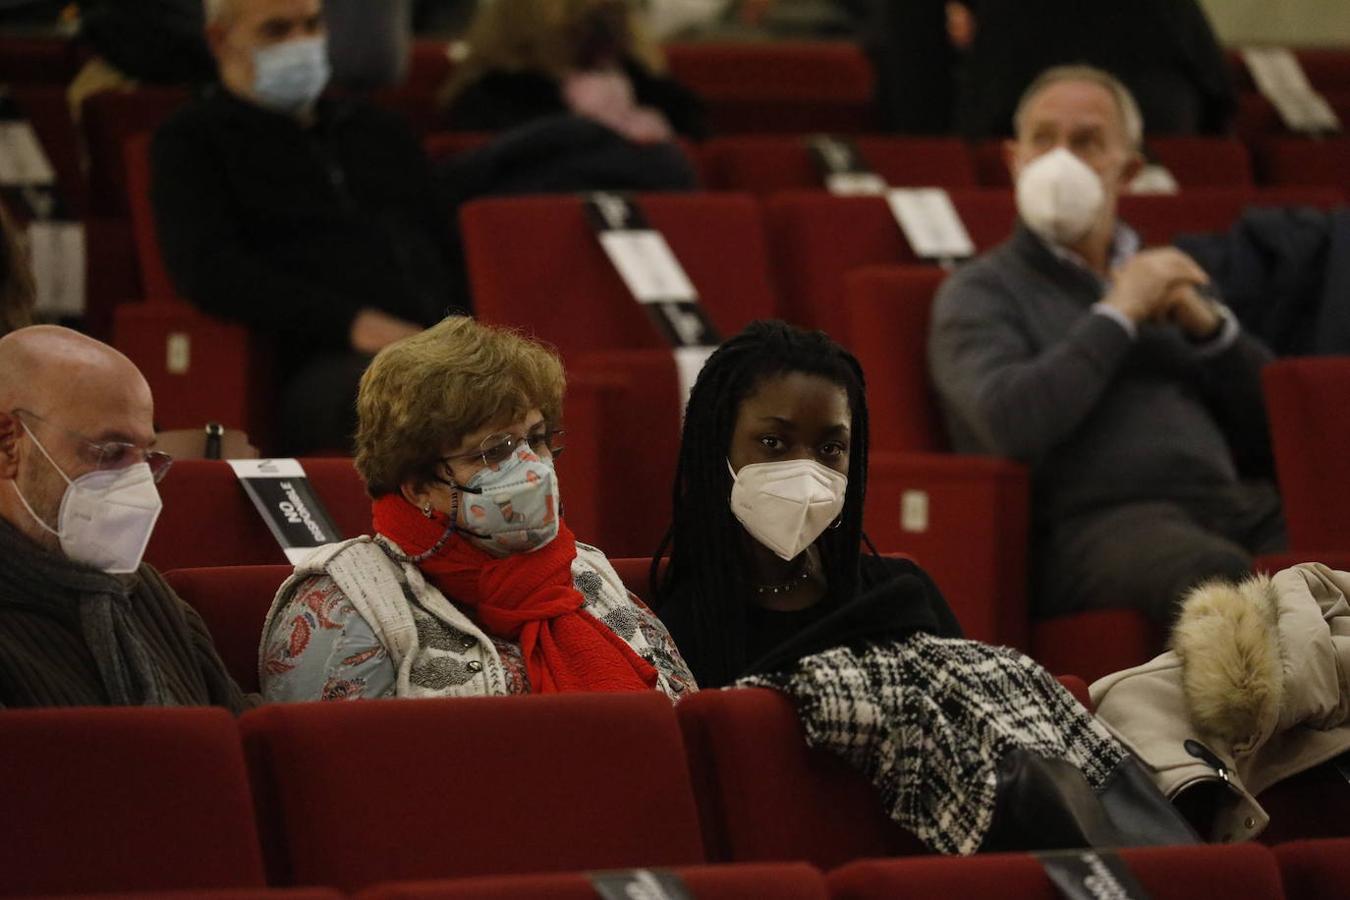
1148	555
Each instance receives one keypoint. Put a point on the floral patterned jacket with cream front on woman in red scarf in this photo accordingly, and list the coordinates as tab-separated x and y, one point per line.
354	623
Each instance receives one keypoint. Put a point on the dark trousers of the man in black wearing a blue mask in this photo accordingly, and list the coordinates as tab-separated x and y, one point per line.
319	407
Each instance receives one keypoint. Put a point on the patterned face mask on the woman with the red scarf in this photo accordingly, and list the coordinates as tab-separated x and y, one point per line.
514	507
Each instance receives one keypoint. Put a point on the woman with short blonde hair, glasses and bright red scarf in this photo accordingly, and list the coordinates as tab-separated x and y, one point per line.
473	584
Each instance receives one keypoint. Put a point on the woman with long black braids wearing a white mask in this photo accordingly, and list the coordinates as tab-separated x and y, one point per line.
765	550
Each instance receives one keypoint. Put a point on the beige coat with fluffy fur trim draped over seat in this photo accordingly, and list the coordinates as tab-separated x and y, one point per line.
1258	674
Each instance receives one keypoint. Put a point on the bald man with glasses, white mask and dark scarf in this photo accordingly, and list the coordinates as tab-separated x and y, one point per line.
83	620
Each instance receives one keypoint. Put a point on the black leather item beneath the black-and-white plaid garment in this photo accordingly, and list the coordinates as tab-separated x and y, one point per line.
1047	805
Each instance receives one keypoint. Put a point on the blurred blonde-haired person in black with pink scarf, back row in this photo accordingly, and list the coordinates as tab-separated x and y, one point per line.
530	60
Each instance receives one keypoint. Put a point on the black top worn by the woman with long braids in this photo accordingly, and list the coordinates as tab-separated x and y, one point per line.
896	598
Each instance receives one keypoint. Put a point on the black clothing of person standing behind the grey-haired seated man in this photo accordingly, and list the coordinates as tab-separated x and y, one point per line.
1163	51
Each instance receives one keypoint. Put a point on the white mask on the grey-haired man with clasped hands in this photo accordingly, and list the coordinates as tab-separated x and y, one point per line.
1060	198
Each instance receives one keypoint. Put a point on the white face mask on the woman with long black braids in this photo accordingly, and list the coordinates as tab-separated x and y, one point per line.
788	505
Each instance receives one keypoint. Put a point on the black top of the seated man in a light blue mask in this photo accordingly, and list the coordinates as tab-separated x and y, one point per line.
292	230
